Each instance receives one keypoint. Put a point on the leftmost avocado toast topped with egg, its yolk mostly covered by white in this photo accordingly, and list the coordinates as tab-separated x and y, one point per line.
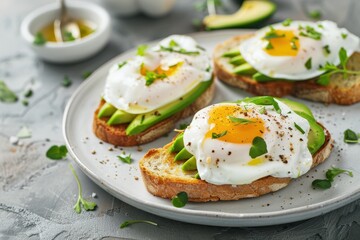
145	96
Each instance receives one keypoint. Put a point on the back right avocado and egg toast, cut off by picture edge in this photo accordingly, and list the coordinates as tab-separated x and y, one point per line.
315	61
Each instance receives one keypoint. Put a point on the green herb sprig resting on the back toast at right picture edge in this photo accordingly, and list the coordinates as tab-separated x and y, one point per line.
331	69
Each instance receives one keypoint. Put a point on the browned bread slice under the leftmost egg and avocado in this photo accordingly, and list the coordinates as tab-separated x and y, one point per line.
116	134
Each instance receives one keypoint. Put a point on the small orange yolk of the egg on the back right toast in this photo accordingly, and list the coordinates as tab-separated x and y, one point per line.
285	44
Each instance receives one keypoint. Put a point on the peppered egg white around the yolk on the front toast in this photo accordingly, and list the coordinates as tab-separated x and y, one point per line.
219	162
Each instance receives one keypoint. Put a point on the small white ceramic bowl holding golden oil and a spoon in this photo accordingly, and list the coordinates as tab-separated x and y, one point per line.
65	52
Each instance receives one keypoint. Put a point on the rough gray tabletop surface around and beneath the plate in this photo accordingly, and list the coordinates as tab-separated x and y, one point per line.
37	194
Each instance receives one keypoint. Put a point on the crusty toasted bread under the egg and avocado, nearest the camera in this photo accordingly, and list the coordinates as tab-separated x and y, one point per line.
164	178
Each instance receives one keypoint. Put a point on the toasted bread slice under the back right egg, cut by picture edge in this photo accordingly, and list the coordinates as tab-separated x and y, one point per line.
339	90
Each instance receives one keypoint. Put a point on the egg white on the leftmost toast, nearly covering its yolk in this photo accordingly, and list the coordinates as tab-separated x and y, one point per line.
126	88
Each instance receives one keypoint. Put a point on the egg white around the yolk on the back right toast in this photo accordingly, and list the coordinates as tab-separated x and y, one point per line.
293	67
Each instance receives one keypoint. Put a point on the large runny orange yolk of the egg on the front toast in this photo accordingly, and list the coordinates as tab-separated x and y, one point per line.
233	129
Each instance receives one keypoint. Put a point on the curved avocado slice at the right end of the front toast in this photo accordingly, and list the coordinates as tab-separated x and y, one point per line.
316	136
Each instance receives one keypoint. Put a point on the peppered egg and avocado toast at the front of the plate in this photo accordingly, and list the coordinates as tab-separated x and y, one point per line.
238	150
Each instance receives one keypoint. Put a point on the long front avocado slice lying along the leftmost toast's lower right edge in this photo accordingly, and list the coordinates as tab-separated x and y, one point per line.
144	121
